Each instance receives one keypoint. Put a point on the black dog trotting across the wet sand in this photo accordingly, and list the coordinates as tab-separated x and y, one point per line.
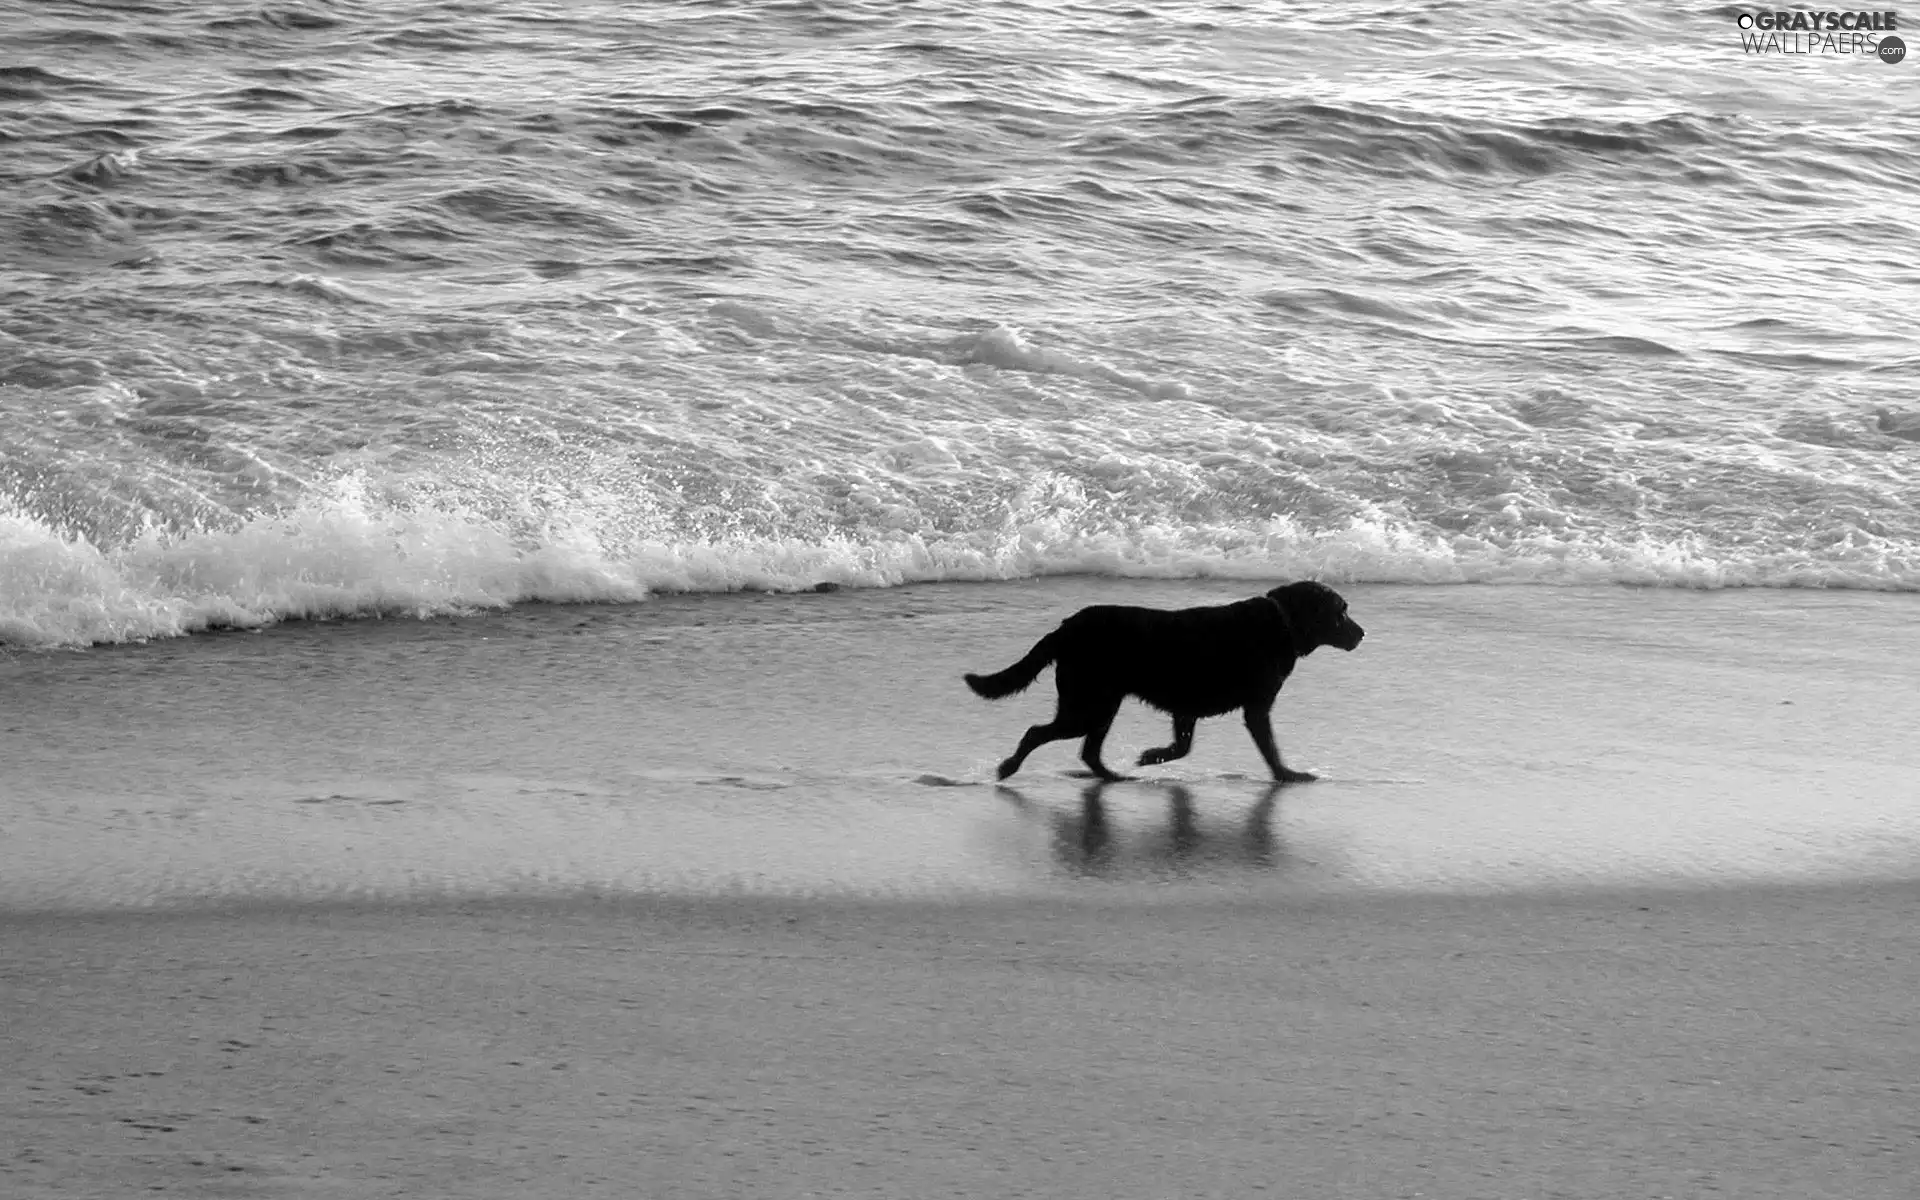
1188	663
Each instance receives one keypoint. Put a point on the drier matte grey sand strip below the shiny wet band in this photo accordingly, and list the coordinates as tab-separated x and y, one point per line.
1727	1042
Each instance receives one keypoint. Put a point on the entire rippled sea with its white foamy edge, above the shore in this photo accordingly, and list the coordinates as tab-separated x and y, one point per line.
404	308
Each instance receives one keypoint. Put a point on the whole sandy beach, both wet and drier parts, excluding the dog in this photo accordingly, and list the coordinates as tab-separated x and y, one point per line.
594	911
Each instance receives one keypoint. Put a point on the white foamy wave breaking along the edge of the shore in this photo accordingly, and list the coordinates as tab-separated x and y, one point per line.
347	554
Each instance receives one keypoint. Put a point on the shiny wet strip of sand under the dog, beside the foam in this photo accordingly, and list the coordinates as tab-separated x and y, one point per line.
1481	740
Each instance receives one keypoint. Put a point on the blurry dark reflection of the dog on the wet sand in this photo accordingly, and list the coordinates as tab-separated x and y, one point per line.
1088	844
